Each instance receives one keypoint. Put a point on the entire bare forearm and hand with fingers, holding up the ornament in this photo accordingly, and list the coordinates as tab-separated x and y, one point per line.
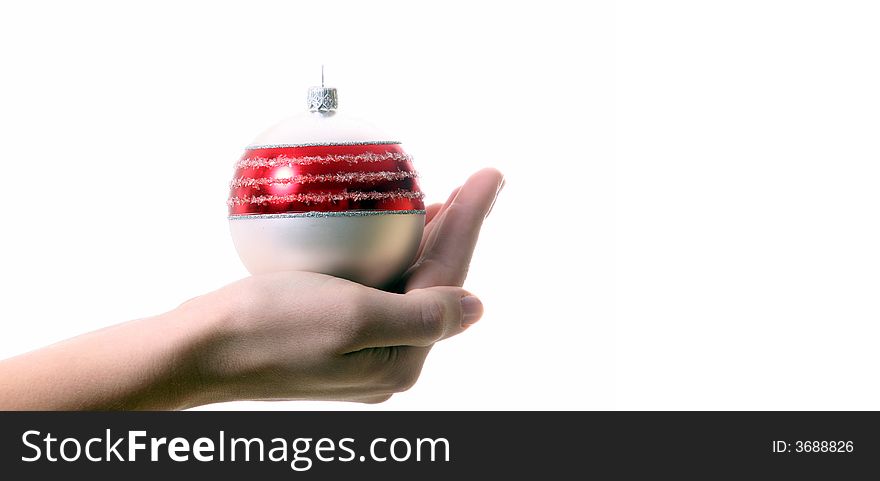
290	335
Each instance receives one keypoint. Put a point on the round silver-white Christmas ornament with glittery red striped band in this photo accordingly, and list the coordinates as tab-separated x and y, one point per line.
323	192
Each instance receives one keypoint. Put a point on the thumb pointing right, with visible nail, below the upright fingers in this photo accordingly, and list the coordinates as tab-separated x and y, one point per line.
420	317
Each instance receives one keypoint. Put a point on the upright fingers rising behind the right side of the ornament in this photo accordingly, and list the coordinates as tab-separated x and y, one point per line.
453	234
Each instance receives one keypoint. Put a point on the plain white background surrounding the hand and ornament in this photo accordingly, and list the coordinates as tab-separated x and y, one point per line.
691	212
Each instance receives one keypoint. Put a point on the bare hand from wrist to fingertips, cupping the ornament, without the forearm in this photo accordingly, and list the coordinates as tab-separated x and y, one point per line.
344	341
